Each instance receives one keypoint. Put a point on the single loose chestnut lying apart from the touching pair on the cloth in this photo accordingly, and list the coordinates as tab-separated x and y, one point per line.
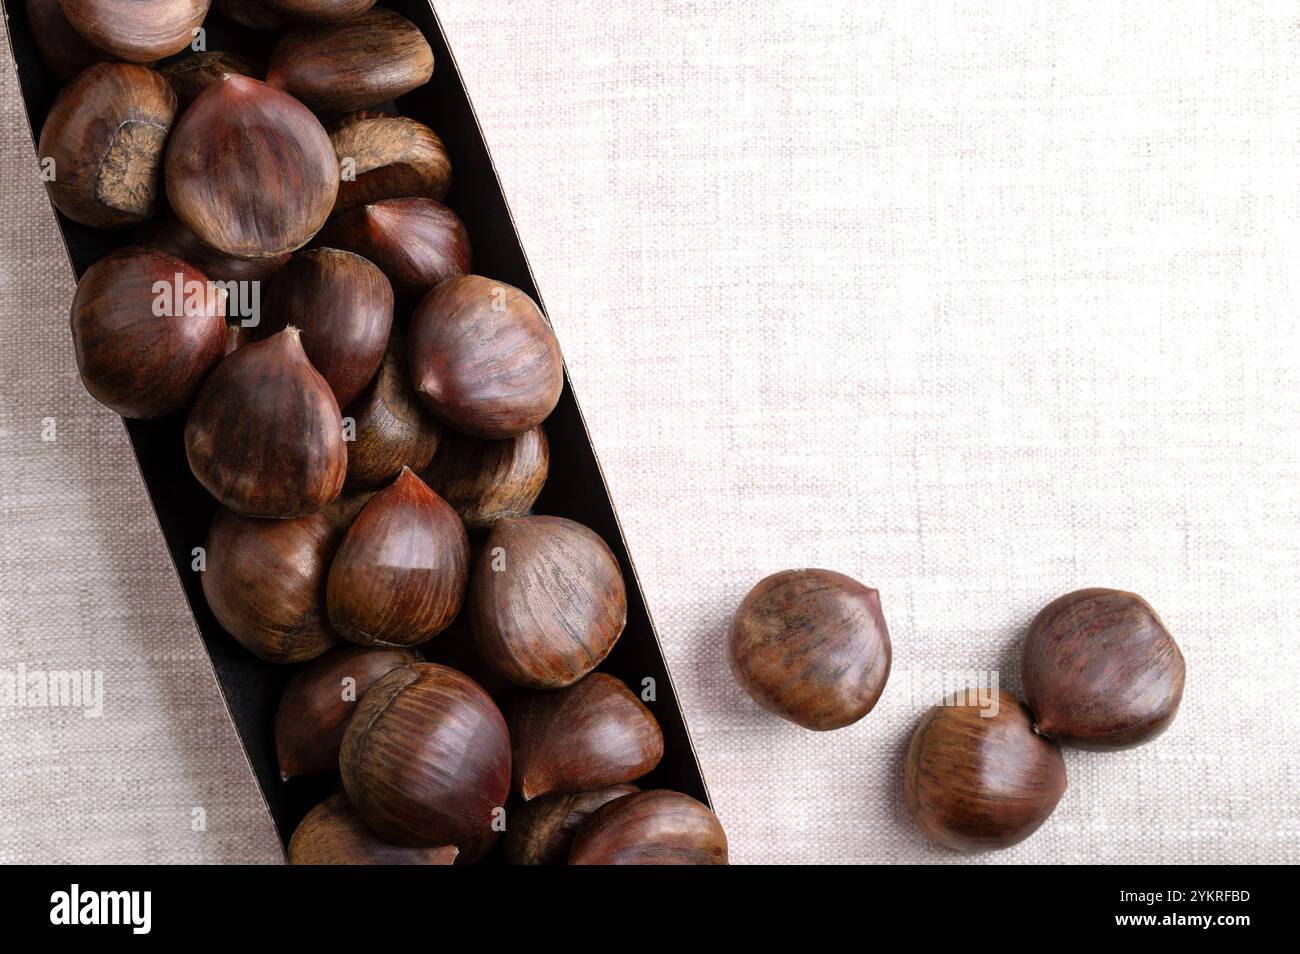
812	647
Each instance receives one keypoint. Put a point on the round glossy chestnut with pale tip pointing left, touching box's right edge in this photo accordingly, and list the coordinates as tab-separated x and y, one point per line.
484	359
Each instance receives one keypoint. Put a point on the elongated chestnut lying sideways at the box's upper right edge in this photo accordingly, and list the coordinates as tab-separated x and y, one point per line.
352	64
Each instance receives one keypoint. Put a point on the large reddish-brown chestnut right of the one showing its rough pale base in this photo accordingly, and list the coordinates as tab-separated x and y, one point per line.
250	170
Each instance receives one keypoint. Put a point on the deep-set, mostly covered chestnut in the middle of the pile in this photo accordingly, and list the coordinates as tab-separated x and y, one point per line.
393	428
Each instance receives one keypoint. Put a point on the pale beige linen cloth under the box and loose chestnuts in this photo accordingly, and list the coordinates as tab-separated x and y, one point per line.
977	303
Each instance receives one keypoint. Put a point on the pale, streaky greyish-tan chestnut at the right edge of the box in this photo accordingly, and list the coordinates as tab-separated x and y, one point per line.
547	601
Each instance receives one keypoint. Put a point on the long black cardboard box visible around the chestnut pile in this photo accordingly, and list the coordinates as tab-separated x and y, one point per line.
577	488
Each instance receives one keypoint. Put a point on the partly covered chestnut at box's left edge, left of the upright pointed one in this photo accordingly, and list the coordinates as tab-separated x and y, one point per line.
266	583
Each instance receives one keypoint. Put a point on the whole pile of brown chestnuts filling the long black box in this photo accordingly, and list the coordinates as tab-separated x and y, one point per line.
374	437
